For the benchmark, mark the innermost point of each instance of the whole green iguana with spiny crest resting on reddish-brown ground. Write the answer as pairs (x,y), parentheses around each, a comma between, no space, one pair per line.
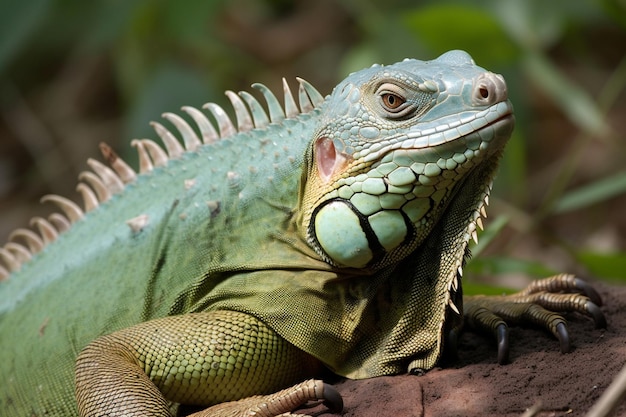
(326,235)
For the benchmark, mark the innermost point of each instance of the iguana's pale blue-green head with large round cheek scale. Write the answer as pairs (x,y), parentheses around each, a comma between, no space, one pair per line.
(394,146)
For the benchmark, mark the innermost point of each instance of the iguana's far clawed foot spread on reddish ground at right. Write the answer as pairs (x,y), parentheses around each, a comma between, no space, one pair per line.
(537,304)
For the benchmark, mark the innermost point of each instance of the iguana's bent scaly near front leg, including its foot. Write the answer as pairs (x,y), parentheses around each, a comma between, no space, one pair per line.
(196,359)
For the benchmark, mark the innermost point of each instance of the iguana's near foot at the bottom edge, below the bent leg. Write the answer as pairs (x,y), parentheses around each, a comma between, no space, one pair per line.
(281,403)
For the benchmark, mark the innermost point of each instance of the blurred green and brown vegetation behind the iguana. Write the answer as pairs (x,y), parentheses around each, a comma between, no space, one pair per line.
(75,73)
